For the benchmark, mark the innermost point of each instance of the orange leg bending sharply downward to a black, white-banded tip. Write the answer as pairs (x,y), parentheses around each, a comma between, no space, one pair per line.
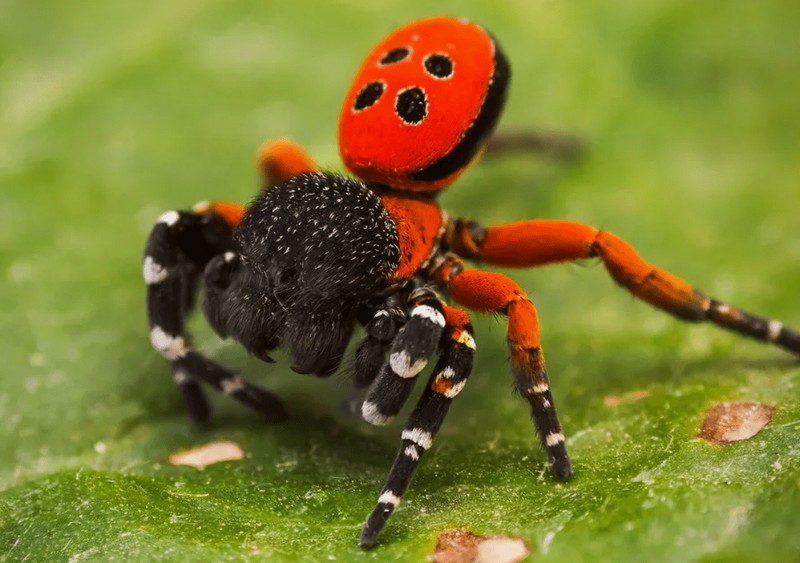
(489,292)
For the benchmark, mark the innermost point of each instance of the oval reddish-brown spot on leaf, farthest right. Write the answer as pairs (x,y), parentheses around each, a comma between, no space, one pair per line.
(731,422)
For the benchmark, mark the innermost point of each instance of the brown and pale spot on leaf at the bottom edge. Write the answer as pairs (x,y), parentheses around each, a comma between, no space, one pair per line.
(462,546)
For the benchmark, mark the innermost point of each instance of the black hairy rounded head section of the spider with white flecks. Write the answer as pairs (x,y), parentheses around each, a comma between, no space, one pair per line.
(309,252)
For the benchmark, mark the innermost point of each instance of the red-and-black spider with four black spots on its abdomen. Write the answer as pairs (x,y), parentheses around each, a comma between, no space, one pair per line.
(316,254)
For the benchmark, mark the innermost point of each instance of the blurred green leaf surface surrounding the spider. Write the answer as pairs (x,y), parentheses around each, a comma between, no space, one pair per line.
(112,112)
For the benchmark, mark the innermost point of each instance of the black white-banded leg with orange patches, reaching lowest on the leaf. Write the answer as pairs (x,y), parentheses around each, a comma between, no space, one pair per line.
(447,381)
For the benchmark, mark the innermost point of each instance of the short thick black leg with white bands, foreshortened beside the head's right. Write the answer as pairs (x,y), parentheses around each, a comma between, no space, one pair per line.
(409,354)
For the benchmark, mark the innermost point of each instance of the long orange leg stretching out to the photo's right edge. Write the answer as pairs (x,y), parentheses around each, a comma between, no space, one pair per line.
(540,242)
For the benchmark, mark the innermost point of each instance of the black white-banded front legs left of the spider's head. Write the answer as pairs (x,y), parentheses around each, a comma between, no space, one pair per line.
(179,247)
